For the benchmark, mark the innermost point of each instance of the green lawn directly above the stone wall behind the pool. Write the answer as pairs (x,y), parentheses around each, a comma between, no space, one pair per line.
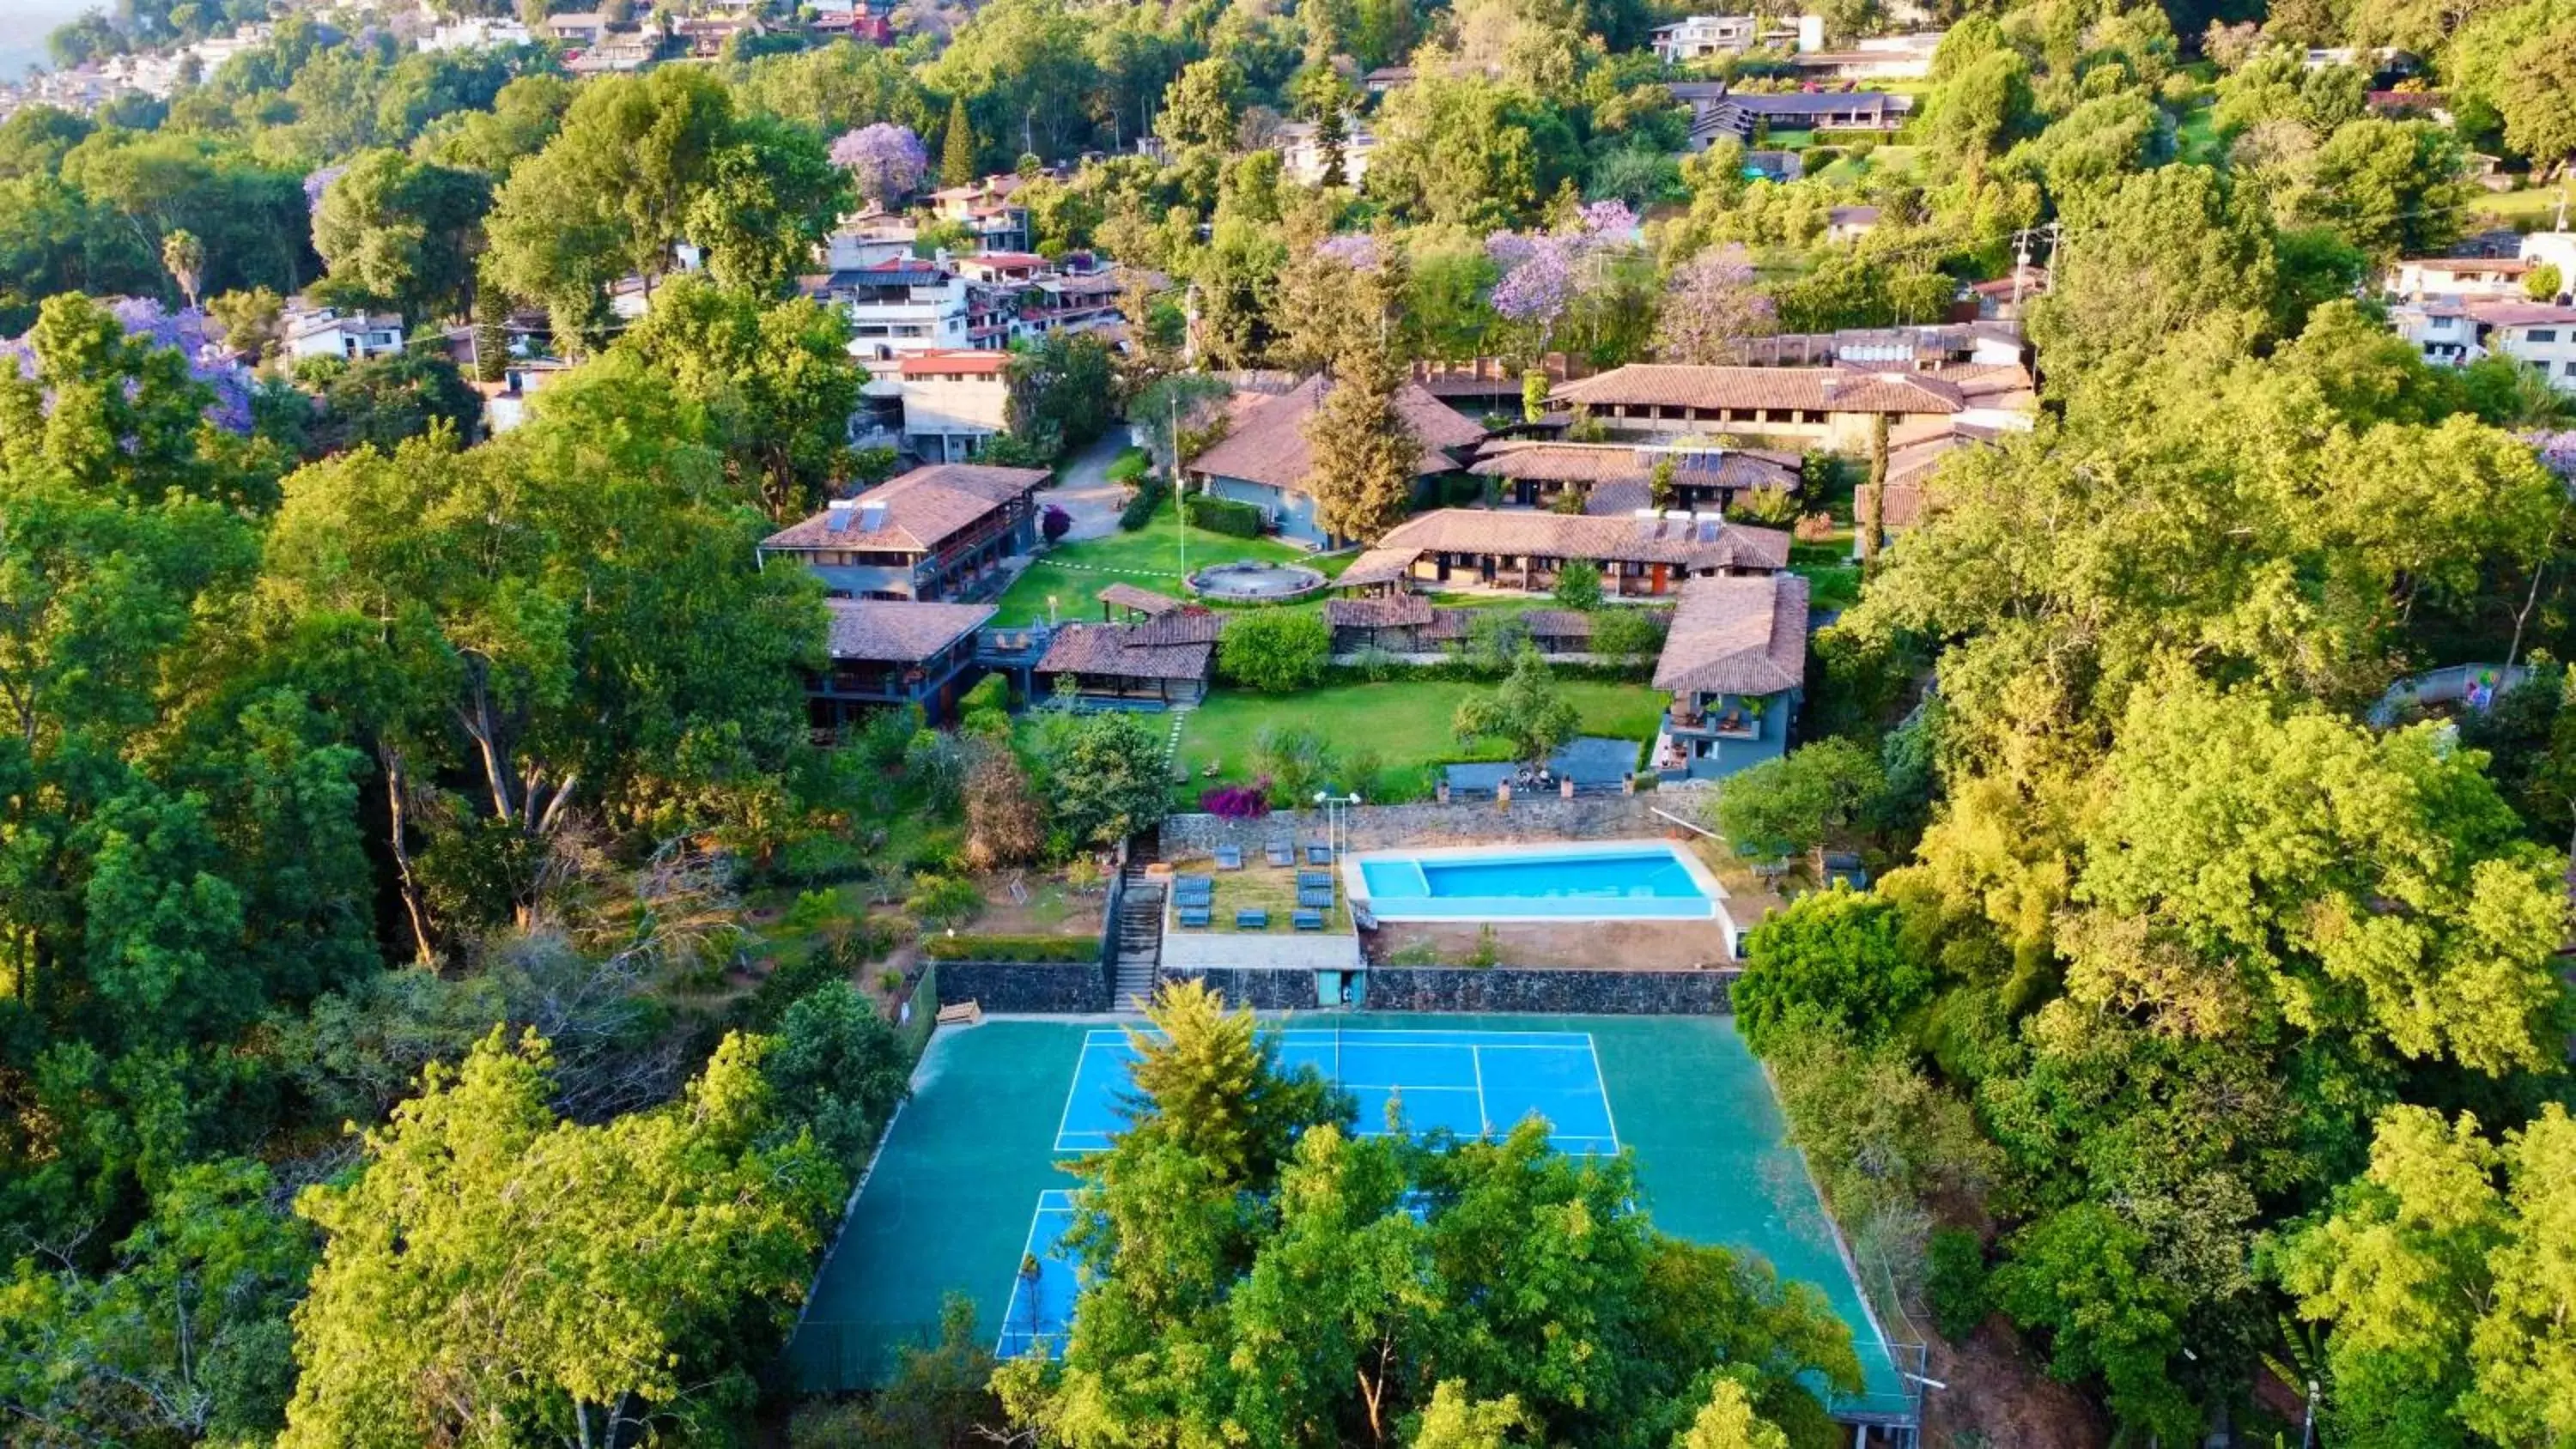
(1403,722)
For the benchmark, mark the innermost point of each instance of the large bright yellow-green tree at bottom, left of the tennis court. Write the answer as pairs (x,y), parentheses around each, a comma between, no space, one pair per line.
(498,1270)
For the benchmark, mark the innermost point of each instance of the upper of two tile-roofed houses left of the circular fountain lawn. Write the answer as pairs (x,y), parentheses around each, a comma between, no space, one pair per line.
(934,534)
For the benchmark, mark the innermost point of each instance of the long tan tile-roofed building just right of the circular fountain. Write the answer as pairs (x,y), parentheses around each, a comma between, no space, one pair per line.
(1647,555)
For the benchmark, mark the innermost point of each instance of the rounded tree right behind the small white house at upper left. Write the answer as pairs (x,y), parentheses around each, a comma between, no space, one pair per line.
(403,235)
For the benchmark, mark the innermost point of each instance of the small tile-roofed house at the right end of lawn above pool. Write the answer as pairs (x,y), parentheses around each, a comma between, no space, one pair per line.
(1735,665)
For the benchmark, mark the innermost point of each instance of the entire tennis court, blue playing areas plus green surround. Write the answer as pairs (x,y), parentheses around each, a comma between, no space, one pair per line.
(970,1193)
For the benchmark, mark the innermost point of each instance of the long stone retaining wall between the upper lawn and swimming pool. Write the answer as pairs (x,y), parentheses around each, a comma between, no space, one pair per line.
(1392,827)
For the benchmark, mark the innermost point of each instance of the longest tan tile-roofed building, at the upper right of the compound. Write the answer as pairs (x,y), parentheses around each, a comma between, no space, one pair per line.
(1833,408)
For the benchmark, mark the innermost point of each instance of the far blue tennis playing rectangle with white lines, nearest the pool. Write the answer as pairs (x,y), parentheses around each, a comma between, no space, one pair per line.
(1462,1082)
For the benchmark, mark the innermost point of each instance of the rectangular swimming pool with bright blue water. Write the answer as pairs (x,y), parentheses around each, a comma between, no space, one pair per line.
(1591,881)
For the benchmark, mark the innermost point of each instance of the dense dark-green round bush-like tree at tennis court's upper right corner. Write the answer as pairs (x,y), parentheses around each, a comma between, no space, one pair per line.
(1830,961)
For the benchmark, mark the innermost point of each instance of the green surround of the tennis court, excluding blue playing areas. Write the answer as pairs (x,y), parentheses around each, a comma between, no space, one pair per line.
(967,1162)
